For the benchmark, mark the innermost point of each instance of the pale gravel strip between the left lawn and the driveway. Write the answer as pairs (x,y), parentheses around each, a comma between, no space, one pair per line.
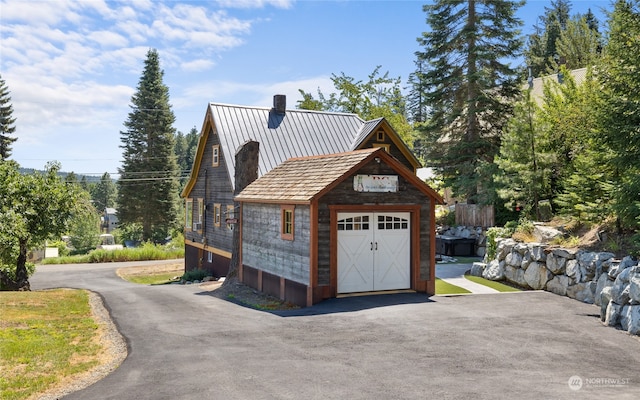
(115,352)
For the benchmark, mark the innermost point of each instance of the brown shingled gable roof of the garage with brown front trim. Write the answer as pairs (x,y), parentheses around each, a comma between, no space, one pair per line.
(301,180)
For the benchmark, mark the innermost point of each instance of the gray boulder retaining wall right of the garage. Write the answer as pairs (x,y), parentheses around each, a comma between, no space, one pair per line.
(591,277)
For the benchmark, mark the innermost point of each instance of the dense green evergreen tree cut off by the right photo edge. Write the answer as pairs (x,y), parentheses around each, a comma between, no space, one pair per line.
(620,108)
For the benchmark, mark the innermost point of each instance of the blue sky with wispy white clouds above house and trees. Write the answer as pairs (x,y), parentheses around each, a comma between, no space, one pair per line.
(71,66)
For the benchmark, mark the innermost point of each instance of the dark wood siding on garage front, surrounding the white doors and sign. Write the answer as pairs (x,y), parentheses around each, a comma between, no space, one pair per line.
(343,194)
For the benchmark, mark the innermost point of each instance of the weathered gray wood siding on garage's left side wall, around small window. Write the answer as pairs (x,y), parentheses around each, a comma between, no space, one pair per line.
(263,248)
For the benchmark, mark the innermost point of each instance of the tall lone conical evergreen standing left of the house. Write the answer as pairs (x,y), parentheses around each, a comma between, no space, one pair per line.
(148,184)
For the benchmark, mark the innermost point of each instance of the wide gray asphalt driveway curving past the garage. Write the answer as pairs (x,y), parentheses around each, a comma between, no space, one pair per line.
(186,344)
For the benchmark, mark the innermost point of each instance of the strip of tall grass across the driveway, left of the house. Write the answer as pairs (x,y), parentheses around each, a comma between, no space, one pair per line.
(145,252)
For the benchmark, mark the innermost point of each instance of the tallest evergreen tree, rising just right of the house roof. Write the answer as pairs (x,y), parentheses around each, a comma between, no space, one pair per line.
(469,87)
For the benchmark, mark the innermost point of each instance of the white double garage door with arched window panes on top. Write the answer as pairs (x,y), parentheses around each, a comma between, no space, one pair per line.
(373,252)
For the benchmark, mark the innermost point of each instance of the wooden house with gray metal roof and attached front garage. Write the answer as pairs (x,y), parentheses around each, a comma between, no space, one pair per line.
(324,145)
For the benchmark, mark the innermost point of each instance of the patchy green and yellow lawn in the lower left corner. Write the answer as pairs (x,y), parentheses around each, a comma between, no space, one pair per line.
(45,337)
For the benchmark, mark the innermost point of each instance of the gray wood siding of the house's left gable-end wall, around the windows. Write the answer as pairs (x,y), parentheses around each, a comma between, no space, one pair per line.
(216,189)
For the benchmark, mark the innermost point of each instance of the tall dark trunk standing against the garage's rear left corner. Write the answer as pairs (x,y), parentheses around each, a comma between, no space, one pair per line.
(246,172)
